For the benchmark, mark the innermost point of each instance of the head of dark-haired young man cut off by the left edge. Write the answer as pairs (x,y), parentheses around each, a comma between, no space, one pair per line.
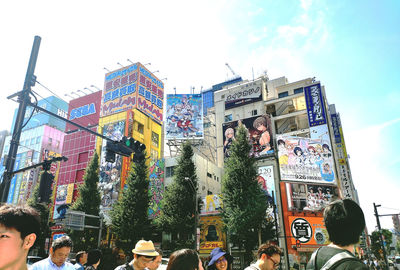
(19,228)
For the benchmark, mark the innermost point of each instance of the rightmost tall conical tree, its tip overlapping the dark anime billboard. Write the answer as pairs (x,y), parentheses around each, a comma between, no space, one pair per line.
(245,204)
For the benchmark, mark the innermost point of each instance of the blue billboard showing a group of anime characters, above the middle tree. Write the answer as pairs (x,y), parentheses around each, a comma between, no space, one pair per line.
(184,117)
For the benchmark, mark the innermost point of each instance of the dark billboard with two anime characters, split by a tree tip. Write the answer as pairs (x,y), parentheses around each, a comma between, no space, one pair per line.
(260,133)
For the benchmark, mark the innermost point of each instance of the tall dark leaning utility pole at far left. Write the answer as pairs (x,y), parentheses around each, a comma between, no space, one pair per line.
(23,98)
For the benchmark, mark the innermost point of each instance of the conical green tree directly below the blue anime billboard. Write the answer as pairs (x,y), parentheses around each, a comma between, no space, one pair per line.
(177,216)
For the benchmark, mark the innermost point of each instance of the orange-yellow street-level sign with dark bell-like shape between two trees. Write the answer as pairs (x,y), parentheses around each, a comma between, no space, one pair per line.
(211,233)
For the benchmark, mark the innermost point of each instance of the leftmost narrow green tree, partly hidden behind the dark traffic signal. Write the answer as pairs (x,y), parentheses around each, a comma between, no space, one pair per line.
(43,210)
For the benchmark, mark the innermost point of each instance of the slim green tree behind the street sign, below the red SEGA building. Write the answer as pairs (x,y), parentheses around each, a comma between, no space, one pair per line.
(88,201)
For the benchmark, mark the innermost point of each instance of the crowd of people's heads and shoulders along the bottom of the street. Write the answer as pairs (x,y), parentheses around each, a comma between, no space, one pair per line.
(20,226)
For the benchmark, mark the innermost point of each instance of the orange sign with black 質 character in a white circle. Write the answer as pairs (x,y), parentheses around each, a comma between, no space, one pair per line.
(308,230)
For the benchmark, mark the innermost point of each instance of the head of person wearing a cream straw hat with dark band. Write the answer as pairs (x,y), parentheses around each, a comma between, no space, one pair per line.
(143,253)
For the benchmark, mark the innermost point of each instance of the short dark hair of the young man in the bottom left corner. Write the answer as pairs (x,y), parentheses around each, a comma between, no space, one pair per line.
(24,219)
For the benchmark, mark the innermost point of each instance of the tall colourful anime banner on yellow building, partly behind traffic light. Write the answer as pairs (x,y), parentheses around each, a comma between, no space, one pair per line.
(110,173)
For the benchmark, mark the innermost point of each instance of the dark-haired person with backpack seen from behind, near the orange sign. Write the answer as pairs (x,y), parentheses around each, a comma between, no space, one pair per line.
(344,221)
